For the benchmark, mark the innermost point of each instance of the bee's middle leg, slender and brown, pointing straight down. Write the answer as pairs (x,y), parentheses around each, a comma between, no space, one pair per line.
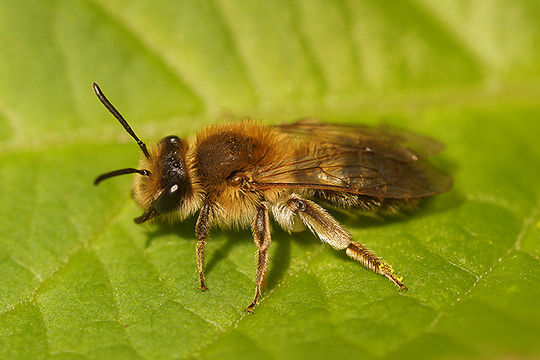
(261,235)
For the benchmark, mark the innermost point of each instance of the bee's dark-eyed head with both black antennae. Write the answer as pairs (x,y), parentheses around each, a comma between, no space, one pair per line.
(164,184)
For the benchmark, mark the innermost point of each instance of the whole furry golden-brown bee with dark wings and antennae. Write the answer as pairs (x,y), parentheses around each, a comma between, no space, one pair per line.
(242,174)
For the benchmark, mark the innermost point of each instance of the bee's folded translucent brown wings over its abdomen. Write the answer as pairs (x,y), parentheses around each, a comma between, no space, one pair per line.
(379,162)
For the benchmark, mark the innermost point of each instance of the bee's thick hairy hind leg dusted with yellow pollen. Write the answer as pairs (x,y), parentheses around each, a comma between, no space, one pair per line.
(322,224)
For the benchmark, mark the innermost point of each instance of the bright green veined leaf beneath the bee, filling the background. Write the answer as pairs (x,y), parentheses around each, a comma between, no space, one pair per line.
(79,280)
